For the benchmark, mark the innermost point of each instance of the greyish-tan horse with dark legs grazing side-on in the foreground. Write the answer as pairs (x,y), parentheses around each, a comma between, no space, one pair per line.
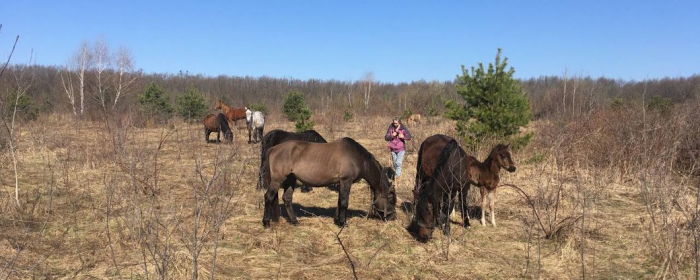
(343,161)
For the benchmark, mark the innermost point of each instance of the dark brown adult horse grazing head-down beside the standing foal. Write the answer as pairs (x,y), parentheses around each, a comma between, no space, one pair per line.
(441,174)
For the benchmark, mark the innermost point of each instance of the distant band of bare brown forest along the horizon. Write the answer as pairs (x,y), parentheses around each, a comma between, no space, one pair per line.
(550,96)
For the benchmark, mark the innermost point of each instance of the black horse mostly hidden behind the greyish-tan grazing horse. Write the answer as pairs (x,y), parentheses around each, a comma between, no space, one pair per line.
(278,136)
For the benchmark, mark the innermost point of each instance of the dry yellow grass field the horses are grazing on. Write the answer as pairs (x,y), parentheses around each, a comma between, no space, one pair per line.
(109,200)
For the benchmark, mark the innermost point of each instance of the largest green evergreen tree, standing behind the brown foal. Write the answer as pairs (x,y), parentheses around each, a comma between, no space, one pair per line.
(495,104)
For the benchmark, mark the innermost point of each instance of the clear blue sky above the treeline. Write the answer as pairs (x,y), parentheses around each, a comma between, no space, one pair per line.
(397,41)
